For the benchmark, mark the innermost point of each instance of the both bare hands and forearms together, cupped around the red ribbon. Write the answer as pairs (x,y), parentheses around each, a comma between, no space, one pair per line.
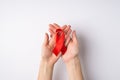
(70,57)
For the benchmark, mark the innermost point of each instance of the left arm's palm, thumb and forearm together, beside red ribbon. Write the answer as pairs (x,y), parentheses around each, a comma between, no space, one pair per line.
(48,59)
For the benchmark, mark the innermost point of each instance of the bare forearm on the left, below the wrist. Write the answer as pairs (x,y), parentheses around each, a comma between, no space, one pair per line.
(45,71)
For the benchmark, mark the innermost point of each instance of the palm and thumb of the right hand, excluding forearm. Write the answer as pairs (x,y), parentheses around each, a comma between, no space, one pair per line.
(72,49)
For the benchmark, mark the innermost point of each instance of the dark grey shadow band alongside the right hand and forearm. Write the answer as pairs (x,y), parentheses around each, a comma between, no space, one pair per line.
(83,56)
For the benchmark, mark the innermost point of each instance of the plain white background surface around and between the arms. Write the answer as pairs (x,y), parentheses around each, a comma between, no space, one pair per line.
(24,22)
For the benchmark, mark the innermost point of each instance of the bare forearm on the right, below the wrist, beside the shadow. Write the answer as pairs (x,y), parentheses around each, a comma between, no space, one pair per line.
(74,69)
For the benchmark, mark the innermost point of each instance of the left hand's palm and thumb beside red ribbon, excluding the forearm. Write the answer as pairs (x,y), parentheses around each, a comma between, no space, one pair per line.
(47,47)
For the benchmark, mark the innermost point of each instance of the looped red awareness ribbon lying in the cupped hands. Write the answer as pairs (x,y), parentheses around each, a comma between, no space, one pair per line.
(59,44)
